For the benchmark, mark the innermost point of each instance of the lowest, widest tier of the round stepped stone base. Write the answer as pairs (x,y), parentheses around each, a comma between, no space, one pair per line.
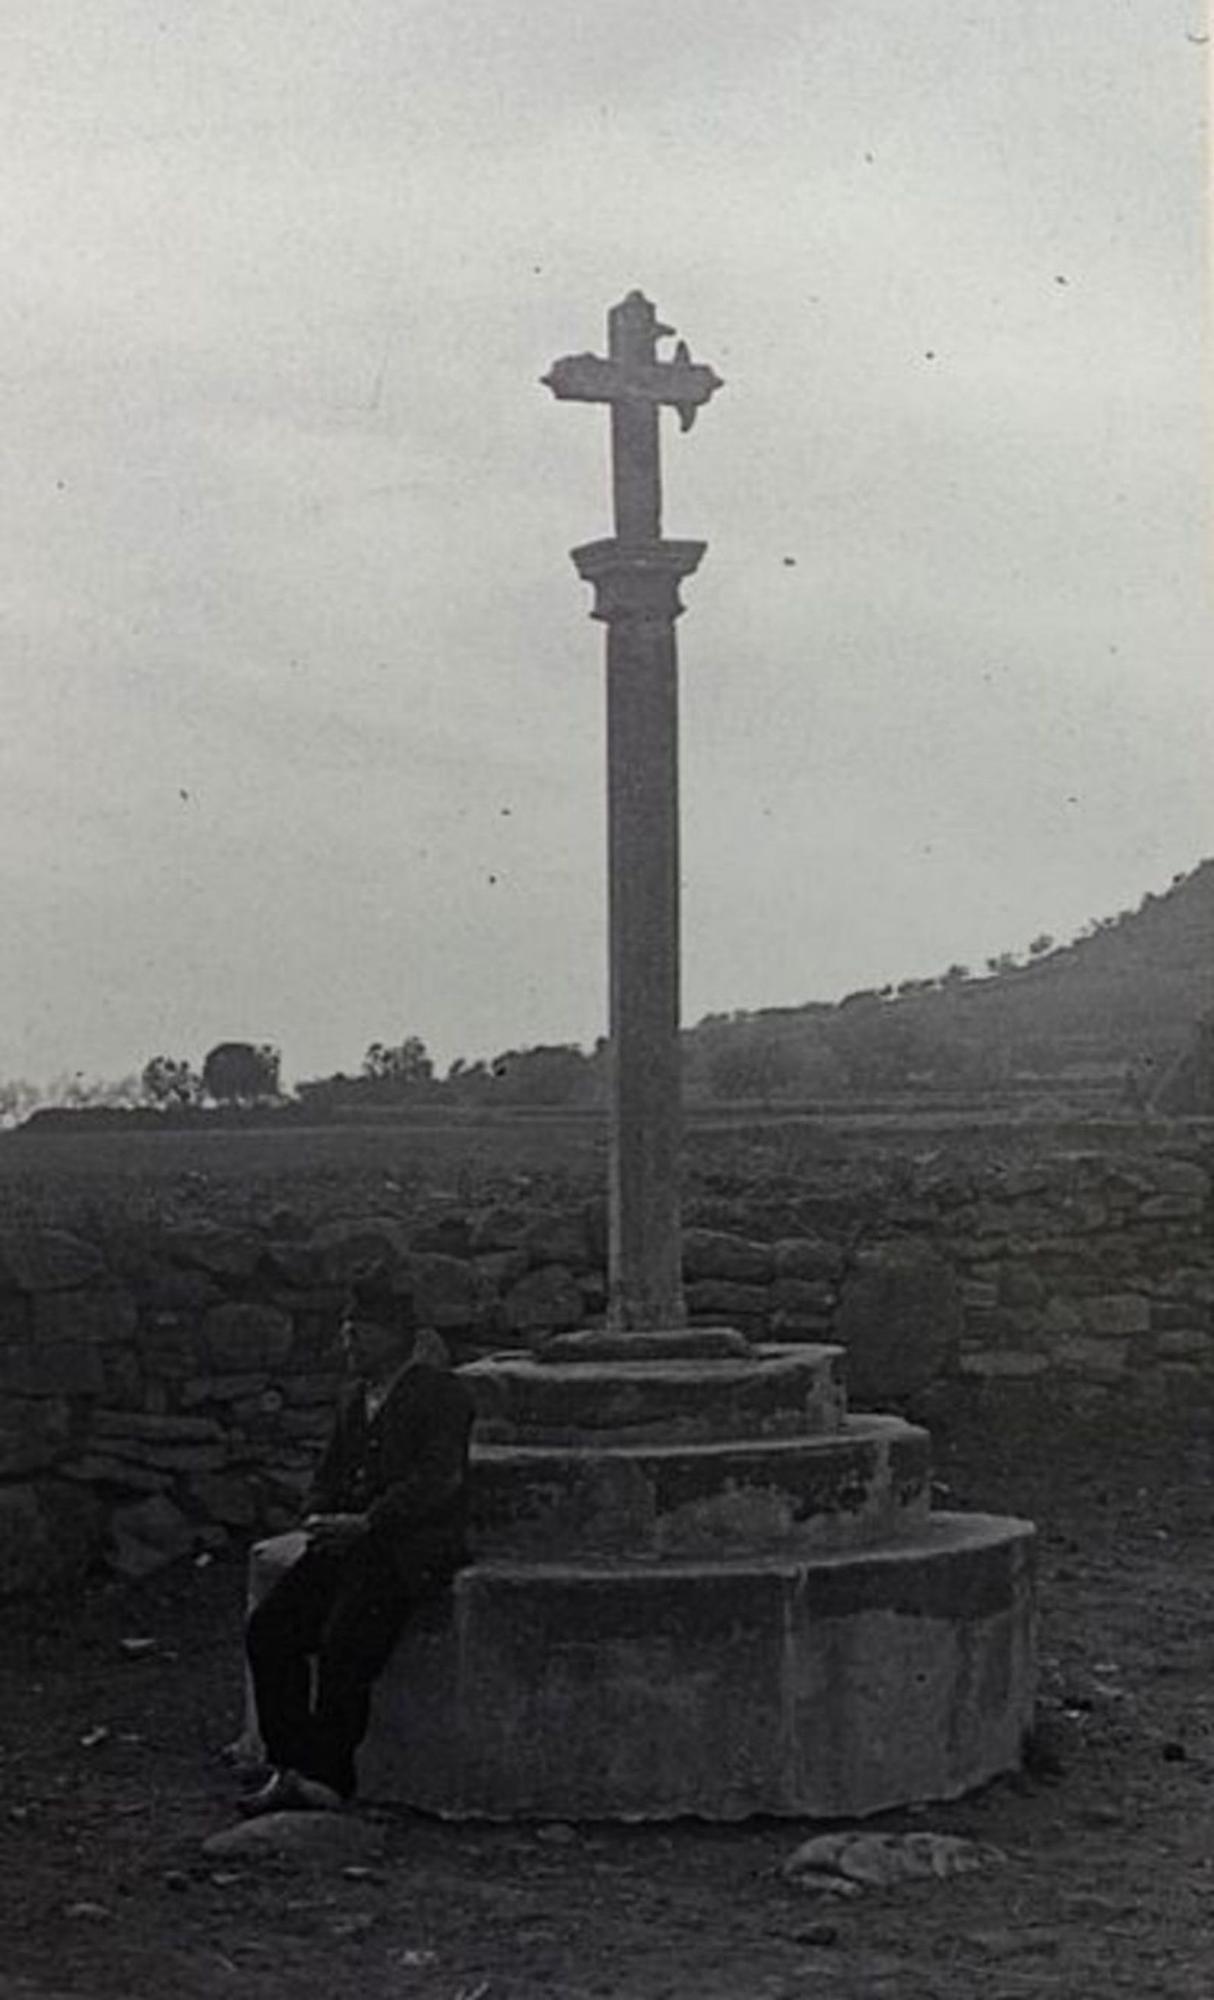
(829,1687)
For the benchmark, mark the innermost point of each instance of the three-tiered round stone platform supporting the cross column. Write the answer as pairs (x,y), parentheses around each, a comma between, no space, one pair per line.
(703,1587)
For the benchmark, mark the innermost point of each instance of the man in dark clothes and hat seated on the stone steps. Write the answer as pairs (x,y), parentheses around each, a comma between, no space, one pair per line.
(385,1523)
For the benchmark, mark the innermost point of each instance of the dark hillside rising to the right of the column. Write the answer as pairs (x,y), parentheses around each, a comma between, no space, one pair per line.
(1121,1001)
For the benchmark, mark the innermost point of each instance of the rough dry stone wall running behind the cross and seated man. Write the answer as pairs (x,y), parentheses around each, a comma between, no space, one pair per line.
(165,1389)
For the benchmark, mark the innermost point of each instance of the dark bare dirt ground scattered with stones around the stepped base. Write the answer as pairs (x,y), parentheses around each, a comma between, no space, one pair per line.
(113,1783)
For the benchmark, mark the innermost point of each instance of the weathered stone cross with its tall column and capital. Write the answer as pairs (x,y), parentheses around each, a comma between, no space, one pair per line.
(635,581)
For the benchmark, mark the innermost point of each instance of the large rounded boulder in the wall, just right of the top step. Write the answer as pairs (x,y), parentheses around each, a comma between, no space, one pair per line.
(899,1319)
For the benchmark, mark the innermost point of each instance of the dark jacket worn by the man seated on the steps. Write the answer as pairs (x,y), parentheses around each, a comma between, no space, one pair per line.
(405,1467)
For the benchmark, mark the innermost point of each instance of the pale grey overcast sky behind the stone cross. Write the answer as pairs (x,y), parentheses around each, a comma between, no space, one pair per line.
(301,709)
